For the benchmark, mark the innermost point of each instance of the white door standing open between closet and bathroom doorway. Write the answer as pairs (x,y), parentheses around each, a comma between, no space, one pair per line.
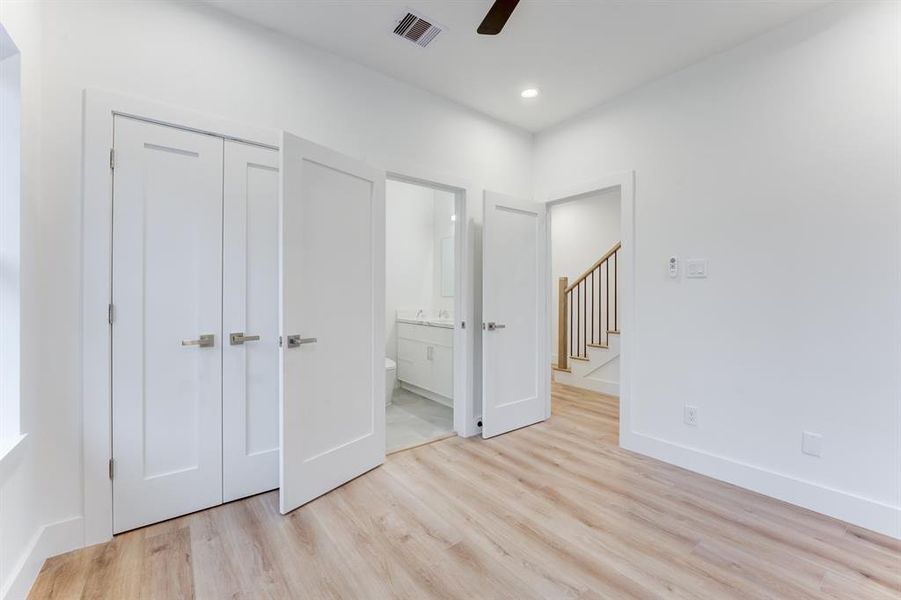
(332,306)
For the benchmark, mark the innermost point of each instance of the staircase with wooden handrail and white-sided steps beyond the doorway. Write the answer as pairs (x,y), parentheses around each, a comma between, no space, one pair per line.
(588,327)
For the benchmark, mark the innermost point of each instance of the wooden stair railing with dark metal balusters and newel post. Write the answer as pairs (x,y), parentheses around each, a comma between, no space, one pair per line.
(588,309)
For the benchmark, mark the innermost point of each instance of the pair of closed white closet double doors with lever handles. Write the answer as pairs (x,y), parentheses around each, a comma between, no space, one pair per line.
(194,313)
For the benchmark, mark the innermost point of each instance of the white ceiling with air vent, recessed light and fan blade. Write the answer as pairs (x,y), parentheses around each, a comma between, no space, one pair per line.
(578,52)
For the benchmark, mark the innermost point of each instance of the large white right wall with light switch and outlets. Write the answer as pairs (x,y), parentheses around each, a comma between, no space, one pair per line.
(778,161)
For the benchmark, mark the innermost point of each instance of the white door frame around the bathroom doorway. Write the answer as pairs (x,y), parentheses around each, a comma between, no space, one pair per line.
(465,316)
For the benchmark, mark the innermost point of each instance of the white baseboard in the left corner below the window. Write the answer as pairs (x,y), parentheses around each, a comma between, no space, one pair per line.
(50,540)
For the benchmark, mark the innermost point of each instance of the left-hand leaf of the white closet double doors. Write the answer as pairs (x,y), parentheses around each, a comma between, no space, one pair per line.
(167,343)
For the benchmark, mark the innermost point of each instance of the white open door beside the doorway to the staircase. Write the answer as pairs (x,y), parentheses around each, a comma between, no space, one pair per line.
(515,379)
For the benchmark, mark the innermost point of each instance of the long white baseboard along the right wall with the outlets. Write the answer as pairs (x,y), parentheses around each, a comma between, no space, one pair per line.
(864,512)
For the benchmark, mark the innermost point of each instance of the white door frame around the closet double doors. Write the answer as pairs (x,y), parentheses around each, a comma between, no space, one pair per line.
(97,216)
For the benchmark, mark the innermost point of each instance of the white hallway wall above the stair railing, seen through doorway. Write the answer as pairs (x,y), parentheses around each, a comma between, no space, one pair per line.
(582,231)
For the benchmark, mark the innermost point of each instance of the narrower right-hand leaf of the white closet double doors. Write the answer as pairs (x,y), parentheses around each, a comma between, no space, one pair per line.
(250,318)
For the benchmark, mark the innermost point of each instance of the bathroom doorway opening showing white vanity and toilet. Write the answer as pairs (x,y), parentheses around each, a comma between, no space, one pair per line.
(420,321)
